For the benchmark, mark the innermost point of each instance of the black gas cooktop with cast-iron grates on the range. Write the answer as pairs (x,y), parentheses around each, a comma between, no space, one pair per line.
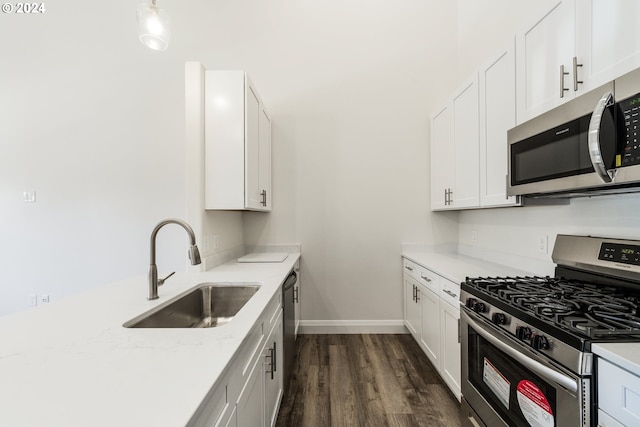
(586,309)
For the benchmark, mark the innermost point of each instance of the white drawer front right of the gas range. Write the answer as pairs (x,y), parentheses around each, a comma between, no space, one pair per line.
(619,393)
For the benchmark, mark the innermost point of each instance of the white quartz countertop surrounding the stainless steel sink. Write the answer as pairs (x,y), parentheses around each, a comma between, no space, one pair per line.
(72,363)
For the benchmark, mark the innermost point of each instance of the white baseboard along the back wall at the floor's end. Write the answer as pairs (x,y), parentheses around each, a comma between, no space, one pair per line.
(353,327)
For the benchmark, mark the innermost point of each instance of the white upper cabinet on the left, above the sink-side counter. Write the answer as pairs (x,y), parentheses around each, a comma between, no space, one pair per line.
(237,144)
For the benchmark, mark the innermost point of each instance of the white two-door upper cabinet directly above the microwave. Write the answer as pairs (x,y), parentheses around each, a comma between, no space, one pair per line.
(576,46)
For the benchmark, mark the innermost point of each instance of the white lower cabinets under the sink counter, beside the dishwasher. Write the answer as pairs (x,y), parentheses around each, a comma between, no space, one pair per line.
(250,392)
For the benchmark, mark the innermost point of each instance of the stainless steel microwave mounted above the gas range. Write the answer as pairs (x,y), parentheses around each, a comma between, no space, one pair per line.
(586,146)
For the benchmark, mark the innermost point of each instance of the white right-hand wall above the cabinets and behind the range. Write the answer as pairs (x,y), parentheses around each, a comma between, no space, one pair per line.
(512,234)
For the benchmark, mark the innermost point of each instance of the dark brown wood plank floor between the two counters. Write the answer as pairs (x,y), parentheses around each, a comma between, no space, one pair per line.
(365,380)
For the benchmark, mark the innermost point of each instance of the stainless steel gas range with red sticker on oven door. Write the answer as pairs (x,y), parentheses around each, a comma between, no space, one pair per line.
(526,341)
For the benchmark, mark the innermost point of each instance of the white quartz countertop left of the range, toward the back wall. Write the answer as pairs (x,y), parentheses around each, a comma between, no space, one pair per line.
(456,267)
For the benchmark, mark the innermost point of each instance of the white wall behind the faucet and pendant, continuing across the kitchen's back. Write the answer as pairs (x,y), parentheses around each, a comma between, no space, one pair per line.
(95,123)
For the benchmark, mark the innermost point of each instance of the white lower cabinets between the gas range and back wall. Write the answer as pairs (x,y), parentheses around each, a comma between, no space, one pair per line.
(432,315)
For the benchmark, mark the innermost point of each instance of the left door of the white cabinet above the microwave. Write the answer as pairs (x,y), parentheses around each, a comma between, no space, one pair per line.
(541,50)
